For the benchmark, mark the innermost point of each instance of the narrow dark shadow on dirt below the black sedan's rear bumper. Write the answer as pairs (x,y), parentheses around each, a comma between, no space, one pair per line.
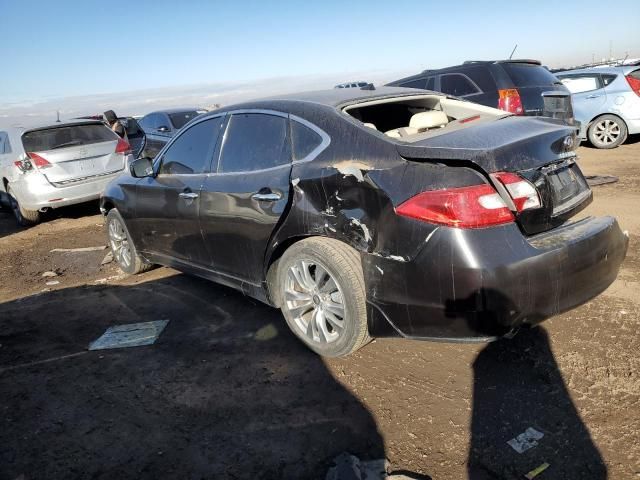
(517,385)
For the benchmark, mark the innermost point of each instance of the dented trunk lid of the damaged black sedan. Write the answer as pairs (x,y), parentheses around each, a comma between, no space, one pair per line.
(541,151)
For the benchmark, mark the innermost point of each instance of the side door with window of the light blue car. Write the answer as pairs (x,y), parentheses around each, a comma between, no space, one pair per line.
(588,95)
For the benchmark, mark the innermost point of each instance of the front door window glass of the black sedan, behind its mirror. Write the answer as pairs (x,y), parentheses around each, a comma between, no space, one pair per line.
(191,152)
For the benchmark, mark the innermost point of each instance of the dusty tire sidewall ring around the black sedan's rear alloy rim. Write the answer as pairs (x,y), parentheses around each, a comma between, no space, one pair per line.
(349,337)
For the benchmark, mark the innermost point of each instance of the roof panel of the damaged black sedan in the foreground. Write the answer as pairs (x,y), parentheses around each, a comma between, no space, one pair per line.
(336,97)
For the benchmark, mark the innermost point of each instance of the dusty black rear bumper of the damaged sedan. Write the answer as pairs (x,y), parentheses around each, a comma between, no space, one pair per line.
(468,285)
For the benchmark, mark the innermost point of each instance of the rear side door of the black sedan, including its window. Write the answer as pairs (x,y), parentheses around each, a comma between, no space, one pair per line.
(242,202)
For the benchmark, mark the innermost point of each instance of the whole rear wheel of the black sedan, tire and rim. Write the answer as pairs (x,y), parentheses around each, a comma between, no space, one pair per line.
(322,296)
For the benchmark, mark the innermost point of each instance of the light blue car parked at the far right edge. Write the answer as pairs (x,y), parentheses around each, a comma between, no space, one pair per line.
(606,101)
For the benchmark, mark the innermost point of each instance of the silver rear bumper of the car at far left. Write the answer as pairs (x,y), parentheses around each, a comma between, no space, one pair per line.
(34,192)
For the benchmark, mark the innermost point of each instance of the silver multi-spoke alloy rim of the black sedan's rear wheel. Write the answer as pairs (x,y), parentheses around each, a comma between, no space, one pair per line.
(315,302)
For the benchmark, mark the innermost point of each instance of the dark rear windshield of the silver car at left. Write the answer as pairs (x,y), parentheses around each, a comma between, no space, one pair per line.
(67,136)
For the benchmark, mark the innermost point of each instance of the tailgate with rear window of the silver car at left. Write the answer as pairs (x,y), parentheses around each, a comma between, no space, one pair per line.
(75,152)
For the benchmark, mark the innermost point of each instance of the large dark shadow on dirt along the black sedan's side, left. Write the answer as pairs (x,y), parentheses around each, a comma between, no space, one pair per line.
(226,392)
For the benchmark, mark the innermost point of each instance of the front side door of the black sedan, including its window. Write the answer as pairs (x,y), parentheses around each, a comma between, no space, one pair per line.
(167,204)
